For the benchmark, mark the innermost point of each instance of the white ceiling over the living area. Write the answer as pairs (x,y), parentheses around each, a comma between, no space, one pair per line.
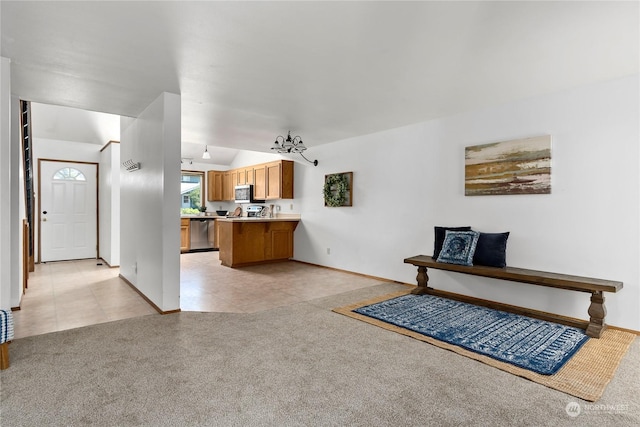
(249,71)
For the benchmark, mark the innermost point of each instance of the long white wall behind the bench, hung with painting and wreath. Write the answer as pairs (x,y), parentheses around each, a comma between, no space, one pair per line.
(410,179)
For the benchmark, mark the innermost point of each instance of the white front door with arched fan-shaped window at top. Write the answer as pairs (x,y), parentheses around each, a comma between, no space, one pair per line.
(68,210)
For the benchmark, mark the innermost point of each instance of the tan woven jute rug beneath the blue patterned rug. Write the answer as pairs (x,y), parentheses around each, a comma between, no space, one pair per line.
(585,375)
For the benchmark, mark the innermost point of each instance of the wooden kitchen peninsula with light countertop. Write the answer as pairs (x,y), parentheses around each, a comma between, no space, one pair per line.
(256,240)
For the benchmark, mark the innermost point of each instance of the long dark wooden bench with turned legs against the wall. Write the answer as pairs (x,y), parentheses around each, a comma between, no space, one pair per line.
(596,287)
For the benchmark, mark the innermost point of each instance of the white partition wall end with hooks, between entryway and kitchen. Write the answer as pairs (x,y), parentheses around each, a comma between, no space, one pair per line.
(150,208)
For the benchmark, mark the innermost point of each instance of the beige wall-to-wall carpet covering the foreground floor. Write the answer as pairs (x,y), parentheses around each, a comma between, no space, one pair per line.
(299,365)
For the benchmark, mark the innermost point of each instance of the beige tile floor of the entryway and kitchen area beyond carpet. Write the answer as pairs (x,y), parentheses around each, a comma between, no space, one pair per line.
(70,294)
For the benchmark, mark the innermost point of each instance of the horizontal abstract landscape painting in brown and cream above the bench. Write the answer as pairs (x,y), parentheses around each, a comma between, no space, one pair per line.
(520,166)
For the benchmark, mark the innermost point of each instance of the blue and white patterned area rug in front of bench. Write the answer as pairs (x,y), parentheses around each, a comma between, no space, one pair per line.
(536,345)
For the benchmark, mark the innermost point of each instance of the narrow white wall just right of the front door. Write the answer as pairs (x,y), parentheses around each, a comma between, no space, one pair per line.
(109,204)
